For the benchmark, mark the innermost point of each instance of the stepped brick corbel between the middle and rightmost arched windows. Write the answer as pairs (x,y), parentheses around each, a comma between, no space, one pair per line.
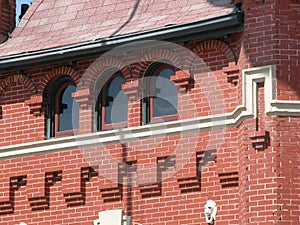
(133,89)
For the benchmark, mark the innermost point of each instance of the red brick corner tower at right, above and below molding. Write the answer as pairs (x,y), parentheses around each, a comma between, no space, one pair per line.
(270,37)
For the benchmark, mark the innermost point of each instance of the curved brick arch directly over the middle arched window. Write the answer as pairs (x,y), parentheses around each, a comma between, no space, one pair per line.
(96,72)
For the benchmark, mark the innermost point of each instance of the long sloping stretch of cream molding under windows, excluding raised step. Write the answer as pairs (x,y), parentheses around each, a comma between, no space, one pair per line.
(123,135)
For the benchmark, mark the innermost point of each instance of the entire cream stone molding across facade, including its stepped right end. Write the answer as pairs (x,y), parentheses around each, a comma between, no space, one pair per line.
(248,109)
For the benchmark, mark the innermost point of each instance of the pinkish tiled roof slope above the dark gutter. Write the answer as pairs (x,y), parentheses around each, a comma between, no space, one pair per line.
(55,23)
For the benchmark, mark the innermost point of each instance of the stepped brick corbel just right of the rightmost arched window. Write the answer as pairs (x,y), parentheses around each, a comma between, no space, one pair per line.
(182,80)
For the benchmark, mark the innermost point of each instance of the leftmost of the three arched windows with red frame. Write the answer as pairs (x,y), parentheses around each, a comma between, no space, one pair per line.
(63,113)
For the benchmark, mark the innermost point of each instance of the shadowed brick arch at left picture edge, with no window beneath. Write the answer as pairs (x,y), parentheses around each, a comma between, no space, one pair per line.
(19,79)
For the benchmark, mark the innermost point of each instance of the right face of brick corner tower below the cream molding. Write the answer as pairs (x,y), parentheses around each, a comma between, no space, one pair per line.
(288,159)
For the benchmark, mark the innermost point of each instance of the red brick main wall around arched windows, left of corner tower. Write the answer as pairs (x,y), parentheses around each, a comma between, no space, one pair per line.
(152,190)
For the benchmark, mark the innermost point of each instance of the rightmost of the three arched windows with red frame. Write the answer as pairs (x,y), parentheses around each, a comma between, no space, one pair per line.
(160,95)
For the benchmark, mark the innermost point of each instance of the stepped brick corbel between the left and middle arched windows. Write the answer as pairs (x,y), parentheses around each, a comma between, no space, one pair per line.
(85,98)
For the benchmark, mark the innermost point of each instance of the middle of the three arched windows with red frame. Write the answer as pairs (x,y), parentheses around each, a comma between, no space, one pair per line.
(112,104)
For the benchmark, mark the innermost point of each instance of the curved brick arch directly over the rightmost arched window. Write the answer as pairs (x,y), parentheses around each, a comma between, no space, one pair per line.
(157,55)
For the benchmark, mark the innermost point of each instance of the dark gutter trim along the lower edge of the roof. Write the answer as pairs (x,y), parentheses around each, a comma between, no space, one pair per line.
(221,25)
